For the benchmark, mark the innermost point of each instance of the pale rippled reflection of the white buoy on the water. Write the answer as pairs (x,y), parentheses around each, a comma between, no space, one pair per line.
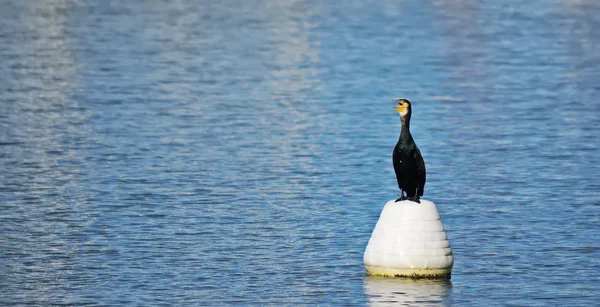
(406,292)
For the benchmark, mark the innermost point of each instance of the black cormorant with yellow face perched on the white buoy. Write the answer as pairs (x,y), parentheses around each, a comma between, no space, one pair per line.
(408,162)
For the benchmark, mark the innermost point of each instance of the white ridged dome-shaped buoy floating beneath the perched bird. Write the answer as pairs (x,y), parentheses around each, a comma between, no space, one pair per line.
(409,240)
